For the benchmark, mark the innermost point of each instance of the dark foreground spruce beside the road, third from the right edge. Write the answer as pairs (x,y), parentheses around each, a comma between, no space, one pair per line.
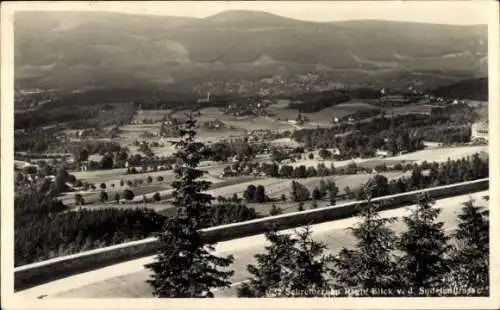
(371,265)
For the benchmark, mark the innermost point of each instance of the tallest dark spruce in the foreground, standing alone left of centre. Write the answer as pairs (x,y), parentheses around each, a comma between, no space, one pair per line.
(185,266)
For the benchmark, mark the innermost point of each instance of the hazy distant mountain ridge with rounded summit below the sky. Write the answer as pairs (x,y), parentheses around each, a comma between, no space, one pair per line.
(96,49)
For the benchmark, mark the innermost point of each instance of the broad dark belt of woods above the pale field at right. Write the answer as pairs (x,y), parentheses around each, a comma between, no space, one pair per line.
(395,134)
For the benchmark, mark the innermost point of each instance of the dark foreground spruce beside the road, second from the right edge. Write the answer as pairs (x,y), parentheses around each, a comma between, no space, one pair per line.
(424,244)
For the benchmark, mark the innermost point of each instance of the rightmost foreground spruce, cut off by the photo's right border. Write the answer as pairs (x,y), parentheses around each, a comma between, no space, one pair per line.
(470,255)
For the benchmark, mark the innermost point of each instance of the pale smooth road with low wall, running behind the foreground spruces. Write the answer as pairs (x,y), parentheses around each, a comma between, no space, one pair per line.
(128,279)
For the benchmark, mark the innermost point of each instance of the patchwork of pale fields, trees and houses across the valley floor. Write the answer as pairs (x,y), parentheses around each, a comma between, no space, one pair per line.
(248,136)
